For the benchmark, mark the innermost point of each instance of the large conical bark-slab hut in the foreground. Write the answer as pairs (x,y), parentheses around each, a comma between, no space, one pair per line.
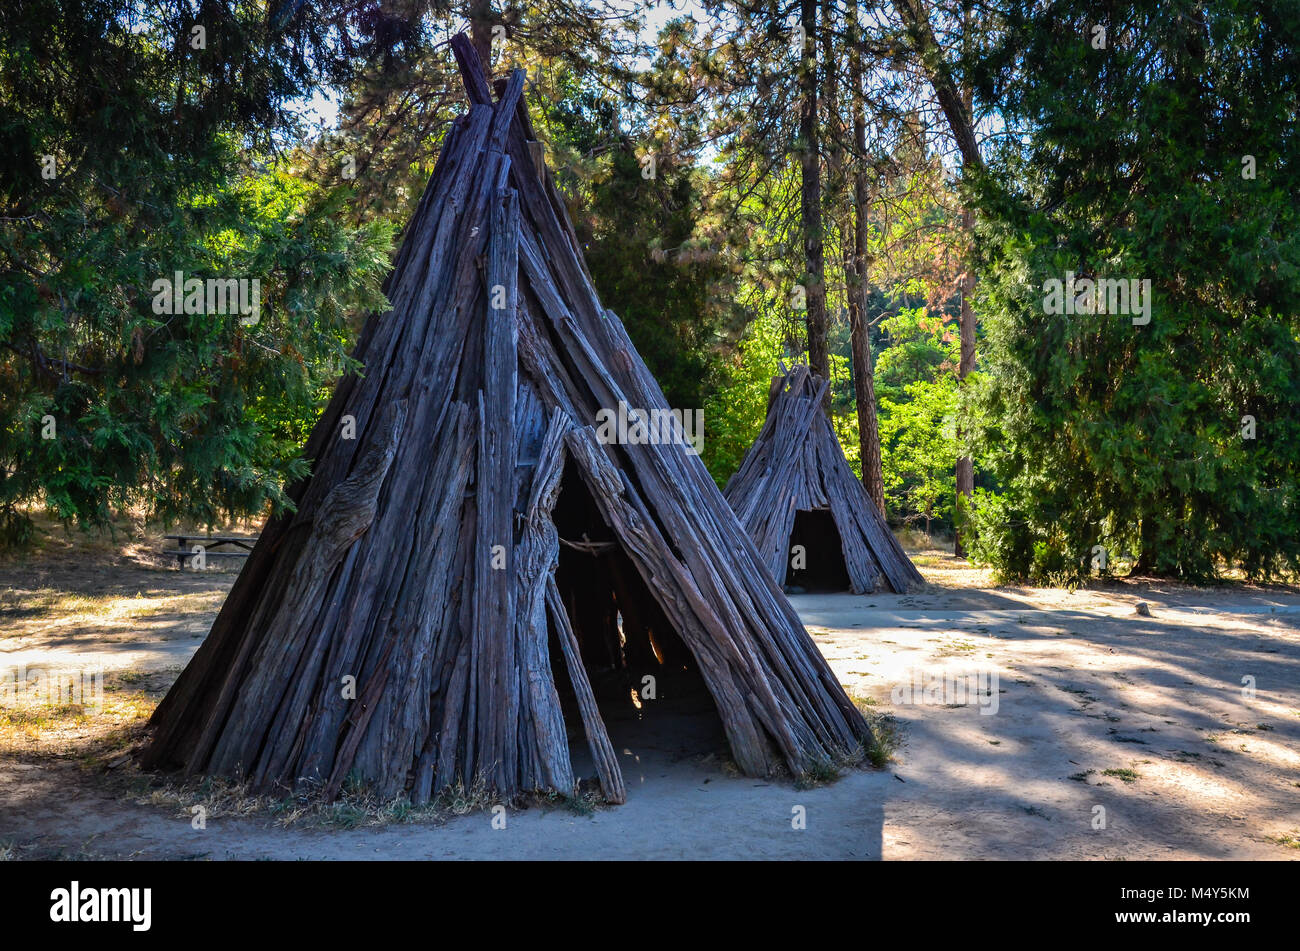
(474,553)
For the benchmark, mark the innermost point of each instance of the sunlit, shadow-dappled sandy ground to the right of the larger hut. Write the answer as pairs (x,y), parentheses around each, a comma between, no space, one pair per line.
(1085,685)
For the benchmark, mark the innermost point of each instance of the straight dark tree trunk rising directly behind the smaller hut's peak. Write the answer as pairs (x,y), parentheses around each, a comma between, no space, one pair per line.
(814,279)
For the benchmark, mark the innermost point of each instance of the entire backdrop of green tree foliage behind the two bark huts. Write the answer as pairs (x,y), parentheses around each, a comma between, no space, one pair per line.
(1124,162)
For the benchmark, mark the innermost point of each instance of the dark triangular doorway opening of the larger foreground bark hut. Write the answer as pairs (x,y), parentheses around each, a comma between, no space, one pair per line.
(625,639)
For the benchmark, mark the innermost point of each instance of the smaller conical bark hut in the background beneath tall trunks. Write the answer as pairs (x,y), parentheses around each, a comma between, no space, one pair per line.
(809,516)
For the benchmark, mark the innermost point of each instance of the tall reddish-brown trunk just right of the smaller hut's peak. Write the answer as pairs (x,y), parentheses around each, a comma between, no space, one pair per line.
(859,280)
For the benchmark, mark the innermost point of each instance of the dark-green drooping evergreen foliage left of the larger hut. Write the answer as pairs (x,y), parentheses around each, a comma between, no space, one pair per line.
(161,171)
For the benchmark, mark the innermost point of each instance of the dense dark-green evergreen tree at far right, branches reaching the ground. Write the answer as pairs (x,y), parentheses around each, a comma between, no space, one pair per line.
(1130,437)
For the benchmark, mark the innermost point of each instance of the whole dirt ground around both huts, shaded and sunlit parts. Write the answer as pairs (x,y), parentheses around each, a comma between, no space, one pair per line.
(1090,732)
